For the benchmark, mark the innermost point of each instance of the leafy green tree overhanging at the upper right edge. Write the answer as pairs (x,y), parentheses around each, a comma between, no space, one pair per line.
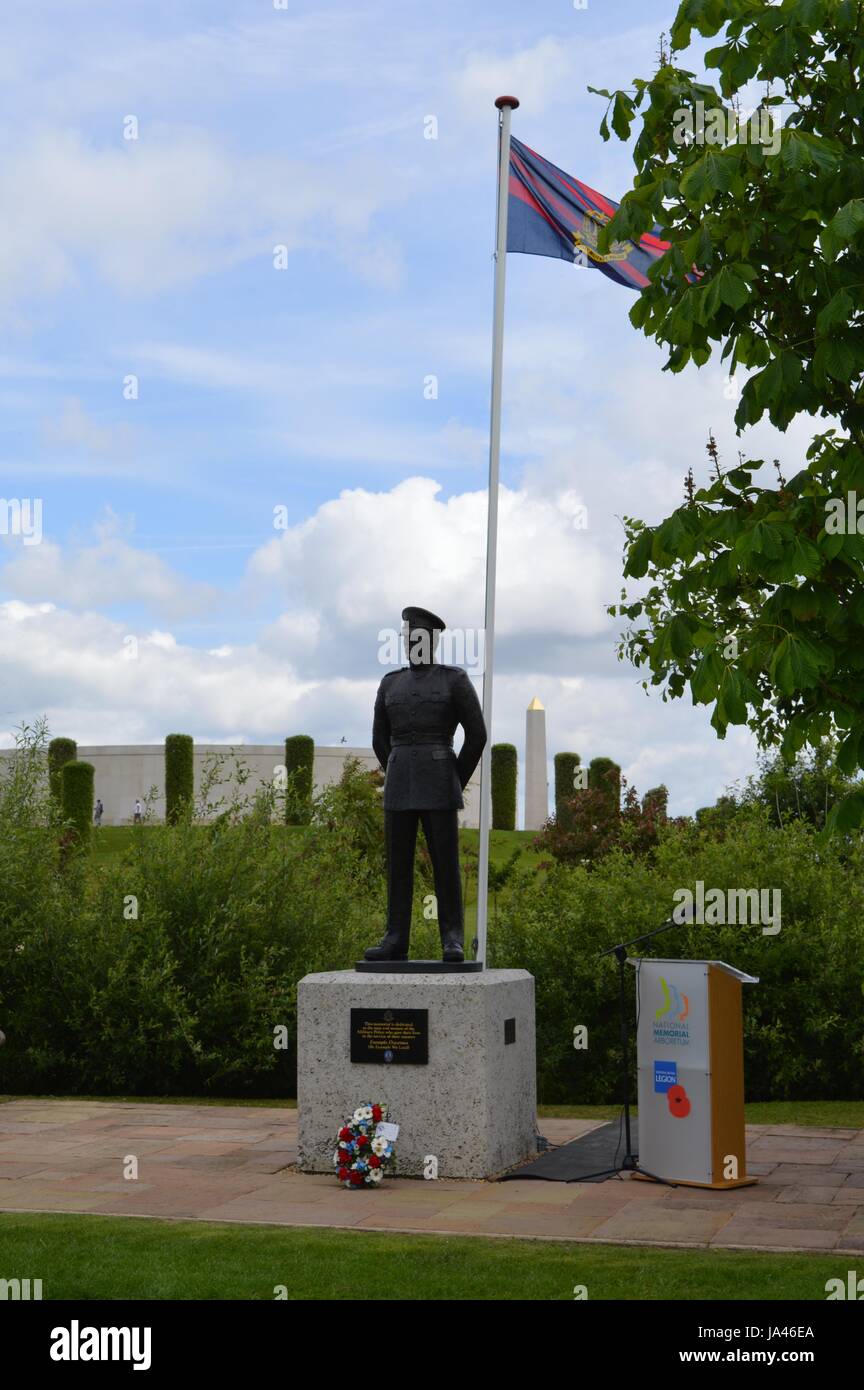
(755,594)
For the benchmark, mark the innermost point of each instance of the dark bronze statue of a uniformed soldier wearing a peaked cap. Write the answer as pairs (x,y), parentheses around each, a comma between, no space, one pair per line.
(417,711)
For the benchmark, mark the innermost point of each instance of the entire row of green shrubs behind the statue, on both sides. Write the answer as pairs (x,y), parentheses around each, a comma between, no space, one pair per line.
(173,970)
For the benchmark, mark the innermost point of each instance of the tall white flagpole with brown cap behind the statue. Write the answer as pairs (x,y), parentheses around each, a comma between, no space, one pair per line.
(506,105)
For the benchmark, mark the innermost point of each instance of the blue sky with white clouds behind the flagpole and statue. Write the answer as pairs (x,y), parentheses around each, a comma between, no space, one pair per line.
(304,389)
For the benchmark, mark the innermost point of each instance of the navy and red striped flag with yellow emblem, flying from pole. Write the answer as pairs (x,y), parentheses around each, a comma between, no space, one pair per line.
(556,215)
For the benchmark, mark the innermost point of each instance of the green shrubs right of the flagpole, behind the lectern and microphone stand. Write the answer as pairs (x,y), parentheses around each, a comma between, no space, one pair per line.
(802,1022)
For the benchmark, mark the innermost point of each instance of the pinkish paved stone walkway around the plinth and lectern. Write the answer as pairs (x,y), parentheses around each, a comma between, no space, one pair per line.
(235,1164)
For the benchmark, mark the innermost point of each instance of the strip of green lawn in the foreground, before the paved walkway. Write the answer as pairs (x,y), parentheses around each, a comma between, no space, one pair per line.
(108,1257)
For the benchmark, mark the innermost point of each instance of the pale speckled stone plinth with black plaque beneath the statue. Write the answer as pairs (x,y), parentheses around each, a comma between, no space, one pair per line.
(473,1106)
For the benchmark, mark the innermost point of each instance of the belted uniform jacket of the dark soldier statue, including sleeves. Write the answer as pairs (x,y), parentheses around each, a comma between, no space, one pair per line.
(417,711)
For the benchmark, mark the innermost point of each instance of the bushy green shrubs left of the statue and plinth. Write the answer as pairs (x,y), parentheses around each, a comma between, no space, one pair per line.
(172,970)
